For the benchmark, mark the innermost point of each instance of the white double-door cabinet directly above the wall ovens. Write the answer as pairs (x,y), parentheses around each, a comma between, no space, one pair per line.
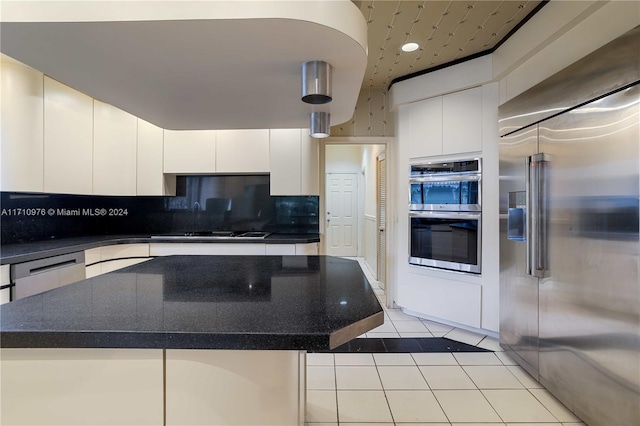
(449,124)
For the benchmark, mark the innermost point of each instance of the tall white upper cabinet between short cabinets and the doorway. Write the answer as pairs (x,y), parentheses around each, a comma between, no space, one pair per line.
(294,162)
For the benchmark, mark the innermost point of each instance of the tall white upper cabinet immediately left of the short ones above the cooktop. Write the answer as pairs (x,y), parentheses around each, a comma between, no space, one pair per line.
(150,177)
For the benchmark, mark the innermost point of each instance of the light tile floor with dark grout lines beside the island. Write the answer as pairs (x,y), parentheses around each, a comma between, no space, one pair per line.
(427,389)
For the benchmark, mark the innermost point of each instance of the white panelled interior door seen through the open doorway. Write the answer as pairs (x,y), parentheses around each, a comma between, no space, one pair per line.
(342,214)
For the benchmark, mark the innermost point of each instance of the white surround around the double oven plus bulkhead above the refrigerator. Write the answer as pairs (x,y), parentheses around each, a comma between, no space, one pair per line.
(561,33)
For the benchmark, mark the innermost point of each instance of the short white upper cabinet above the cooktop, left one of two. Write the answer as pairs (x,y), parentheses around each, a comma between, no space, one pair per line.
(189,151)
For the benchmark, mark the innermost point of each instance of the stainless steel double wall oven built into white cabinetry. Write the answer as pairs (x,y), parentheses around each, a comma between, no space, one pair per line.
(445,213)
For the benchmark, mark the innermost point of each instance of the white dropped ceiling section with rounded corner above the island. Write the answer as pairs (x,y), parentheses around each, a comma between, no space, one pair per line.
(200,69)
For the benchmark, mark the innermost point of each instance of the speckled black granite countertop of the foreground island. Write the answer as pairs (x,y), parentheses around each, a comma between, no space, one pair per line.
(202,302)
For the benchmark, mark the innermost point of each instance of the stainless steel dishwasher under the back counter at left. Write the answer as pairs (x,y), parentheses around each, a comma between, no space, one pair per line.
(45,274)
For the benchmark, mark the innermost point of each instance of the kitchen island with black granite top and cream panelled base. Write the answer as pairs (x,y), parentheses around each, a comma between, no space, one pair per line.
(180,340)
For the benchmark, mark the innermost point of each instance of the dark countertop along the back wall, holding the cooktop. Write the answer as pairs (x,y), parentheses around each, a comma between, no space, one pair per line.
(16,253)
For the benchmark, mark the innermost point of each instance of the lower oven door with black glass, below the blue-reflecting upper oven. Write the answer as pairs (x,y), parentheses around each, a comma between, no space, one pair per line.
(448,240)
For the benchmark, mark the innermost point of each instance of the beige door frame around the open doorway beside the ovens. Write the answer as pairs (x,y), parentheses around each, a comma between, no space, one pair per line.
(388,142)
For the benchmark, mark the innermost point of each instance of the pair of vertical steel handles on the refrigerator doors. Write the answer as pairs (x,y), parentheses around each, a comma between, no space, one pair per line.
(536,216)
